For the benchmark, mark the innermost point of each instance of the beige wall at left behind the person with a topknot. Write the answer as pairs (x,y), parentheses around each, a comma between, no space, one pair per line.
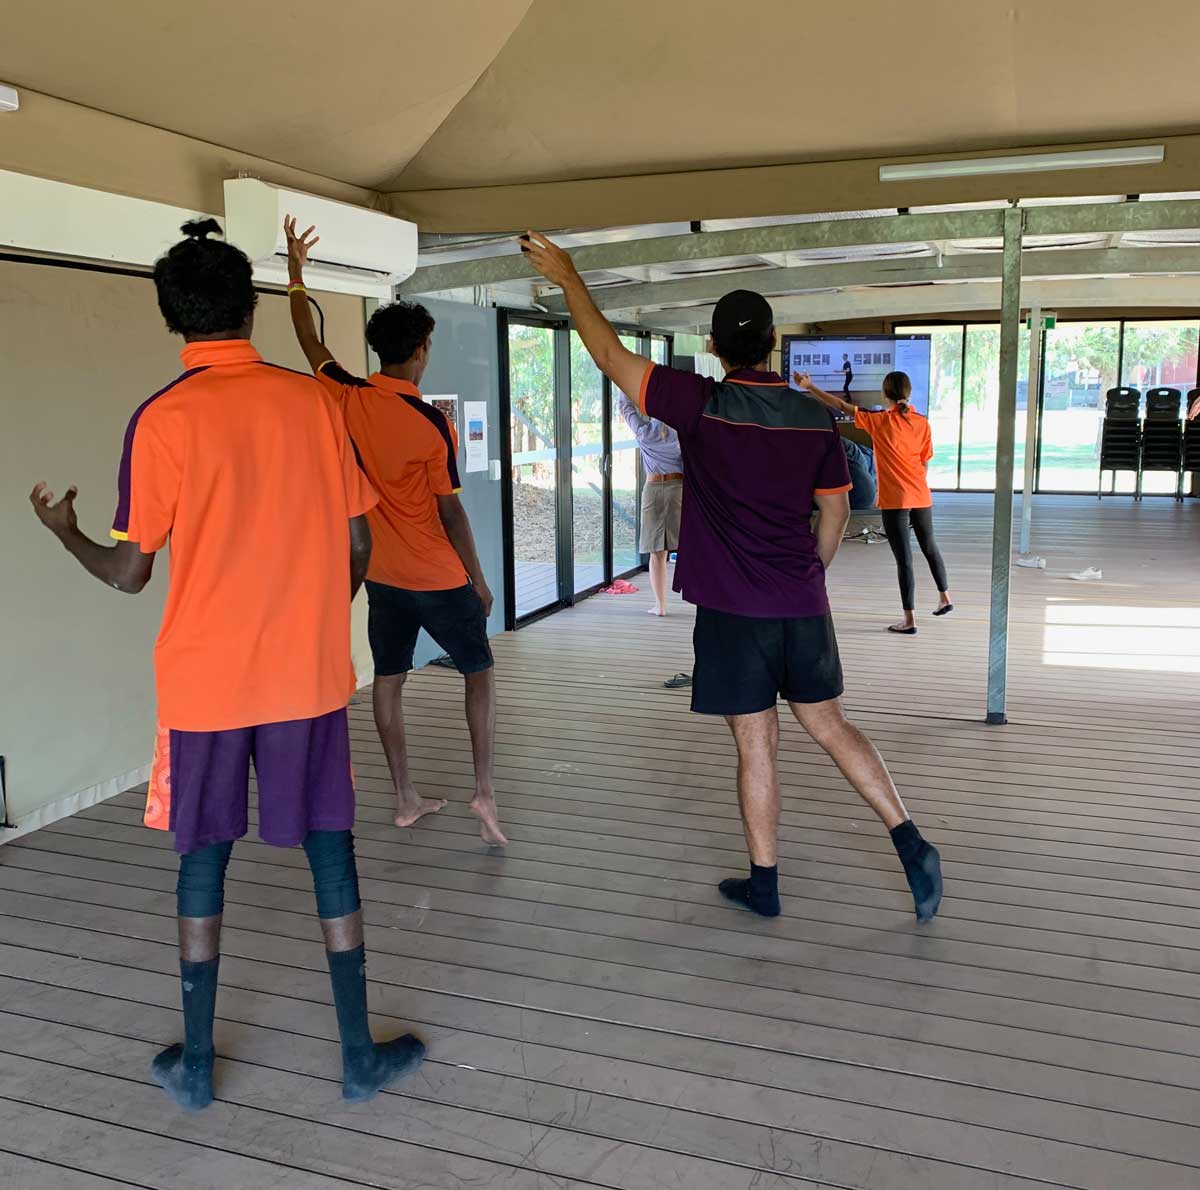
(79,352)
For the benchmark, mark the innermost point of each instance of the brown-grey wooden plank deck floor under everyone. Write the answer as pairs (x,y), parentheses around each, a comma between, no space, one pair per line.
(598,1018)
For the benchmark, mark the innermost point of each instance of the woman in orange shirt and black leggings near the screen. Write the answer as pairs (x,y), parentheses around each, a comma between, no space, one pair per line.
(903,450)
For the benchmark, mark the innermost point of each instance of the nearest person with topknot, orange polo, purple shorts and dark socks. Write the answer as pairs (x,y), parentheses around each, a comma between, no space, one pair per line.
(247,470)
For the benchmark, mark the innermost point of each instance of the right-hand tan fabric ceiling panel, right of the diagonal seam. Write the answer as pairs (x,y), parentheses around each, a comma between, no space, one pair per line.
(649,88)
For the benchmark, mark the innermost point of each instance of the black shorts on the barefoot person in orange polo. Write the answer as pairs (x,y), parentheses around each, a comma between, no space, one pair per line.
(454,618)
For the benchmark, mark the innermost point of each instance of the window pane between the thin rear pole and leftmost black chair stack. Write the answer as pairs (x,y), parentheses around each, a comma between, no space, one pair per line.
(1081,368)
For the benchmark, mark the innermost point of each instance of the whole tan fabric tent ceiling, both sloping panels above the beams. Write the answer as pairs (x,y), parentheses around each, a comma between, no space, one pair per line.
(406,97)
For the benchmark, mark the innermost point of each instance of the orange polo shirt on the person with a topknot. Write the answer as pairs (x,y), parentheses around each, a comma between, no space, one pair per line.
(248,471)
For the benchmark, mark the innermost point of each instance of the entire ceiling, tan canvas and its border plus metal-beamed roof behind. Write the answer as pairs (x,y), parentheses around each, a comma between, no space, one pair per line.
(485,117)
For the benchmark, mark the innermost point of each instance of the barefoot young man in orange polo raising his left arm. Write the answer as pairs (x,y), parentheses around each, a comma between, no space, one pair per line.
(425,573)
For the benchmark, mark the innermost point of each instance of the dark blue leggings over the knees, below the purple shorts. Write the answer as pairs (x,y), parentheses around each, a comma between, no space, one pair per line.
(201,888)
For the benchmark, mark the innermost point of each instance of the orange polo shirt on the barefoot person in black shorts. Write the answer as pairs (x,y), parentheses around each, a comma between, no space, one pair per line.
(410,453)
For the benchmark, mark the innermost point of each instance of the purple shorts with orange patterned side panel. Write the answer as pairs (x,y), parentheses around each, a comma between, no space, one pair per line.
(200,784)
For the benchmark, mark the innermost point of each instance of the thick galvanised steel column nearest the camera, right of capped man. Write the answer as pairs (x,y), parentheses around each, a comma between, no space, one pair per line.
(1006,441)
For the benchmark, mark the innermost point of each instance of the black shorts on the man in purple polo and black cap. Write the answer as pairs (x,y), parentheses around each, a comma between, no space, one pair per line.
(745,664)
